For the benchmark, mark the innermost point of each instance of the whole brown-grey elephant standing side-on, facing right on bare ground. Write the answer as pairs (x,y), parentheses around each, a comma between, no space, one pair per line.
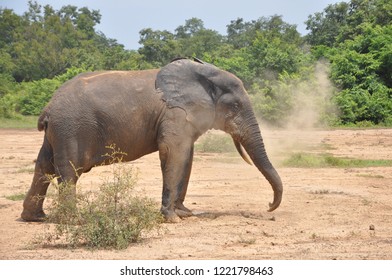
(141,112)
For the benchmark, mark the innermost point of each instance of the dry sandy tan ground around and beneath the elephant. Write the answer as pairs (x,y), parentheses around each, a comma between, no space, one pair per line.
(325,214)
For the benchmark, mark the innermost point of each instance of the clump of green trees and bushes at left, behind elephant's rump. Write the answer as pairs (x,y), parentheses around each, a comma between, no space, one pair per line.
(43,48)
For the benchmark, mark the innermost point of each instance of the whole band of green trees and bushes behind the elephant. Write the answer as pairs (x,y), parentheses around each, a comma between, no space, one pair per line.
(42,48)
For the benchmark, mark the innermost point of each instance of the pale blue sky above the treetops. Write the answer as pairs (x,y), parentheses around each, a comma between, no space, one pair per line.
(122,20)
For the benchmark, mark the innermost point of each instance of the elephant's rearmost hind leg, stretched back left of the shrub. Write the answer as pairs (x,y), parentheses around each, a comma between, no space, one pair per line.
(44,168)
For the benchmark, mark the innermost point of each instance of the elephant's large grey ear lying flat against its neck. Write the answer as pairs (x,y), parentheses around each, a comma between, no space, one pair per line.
(185,84)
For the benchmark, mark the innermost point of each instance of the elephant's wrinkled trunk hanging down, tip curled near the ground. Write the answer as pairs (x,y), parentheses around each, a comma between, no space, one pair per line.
(252,141)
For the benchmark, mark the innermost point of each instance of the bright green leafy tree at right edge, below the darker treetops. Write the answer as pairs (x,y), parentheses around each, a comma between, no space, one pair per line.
(362,69)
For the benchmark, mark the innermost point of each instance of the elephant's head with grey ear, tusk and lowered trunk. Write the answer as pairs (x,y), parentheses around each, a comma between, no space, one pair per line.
(213,98)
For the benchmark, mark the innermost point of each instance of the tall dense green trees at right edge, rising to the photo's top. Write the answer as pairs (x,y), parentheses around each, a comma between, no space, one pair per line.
(356,38)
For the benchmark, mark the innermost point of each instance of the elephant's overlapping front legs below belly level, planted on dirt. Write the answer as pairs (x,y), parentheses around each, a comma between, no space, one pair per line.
(176,164)
